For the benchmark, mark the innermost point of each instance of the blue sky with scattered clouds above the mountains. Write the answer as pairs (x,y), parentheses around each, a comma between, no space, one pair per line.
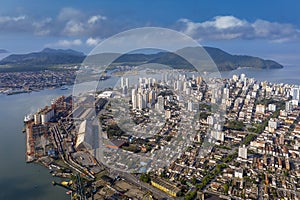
(263,28)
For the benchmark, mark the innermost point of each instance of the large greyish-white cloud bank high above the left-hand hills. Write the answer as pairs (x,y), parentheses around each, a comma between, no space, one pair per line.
(68,22)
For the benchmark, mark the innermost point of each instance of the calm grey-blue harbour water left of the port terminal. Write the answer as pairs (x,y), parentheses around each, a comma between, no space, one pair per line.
(19,180)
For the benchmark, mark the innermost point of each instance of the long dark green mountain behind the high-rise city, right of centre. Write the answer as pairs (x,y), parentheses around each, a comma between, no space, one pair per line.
(223,60)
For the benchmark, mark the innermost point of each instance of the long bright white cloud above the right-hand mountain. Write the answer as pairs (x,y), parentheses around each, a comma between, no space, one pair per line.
(230,27)
